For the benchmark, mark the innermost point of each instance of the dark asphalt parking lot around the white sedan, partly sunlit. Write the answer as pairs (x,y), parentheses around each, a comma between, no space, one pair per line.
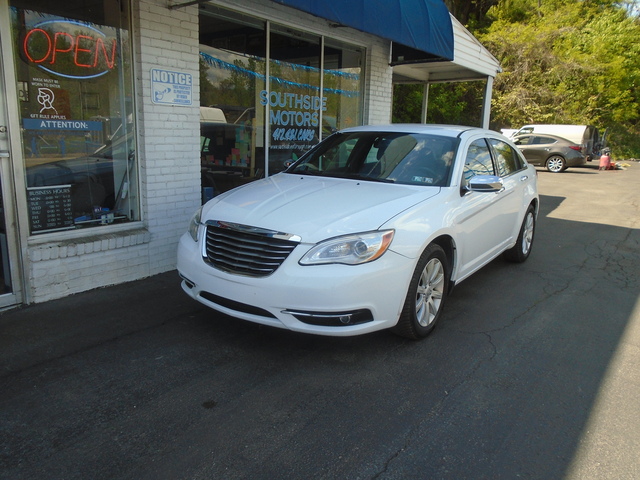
(533,373)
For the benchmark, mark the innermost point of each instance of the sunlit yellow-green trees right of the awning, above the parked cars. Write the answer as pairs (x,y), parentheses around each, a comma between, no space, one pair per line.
(567,62)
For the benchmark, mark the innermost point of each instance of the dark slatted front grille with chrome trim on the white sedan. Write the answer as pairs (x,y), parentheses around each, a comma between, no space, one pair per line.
(246,250)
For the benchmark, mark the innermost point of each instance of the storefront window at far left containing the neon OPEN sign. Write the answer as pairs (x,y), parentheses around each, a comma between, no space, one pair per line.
(76,106)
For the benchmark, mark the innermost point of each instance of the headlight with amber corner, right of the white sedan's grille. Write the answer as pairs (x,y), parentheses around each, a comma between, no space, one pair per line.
(349,249)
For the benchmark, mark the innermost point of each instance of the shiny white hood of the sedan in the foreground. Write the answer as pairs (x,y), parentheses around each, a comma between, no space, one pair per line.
(315,208)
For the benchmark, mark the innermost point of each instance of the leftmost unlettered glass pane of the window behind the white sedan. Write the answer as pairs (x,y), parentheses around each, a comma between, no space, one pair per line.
(232,75)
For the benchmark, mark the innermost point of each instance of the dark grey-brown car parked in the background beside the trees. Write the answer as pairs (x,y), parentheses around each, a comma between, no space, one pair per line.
(554,153)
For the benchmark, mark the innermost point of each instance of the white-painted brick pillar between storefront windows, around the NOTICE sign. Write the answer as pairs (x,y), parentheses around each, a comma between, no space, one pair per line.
(170,139)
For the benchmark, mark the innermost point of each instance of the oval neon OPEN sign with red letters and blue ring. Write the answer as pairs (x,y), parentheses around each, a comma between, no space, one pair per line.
(60,48)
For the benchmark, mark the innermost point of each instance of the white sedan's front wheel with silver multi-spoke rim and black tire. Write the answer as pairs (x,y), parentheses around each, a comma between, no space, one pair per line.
(426,295)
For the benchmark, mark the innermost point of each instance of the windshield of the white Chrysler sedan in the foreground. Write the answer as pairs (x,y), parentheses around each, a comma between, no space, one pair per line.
(392,157)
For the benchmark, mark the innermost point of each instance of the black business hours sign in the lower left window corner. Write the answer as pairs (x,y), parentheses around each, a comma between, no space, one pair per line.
(50,208)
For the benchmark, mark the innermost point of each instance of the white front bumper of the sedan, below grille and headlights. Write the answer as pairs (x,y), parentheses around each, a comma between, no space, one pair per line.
(337,300)
